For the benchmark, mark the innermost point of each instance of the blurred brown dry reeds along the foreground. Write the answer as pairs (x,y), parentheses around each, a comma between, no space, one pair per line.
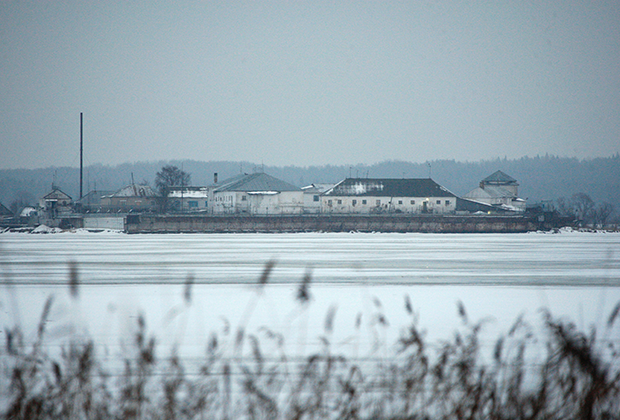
(577,378)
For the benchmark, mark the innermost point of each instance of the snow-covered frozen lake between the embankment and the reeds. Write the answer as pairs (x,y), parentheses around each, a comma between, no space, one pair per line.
(359,277)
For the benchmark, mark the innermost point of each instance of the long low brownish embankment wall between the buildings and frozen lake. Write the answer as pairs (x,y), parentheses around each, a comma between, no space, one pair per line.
(325,223)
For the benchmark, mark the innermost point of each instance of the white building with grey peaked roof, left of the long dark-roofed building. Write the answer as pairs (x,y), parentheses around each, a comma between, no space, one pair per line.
(256,194)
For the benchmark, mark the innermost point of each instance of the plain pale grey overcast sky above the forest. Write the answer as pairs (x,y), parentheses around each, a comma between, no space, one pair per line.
(307,82)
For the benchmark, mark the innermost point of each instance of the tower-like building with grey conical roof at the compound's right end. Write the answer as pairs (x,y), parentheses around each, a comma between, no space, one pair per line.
(499,190)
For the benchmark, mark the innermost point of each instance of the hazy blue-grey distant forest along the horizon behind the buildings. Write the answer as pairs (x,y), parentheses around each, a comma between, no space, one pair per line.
(541,178)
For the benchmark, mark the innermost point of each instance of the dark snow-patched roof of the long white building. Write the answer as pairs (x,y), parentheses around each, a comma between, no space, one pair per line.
(386,187)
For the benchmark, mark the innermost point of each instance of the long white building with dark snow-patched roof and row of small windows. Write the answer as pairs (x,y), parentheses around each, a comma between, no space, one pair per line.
(375,196)
